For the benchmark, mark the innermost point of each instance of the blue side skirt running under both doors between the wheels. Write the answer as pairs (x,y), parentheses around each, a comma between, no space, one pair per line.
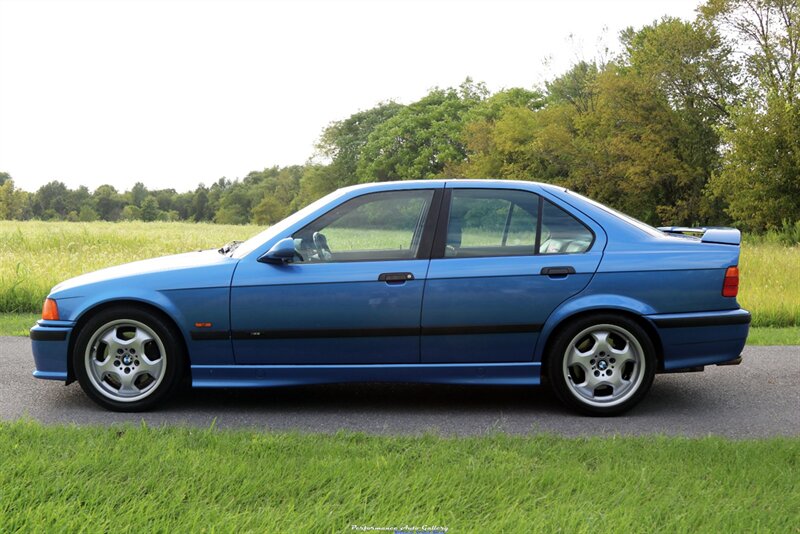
(258,376)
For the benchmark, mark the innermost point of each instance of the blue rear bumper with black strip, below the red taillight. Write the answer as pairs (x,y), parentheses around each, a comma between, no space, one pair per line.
(697,339)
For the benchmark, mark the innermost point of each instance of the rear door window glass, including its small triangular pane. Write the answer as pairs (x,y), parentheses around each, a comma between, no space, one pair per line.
(507,222)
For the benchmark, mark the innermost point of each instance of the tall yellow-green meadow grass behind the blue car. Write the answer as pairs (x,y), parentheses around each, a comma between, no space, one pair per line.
(34,256)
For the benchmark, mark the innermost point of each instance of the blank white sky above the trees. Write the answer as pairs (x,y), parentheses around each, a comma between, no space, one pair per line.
(174,93)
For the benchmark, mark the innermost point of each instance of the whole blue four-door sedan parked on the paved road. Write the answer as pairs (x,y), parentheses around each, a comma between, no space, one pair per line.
(438,281)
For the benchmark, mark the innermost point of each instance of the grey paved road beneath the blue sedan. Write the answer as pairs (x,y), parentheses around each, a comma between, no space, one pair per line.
(760,397)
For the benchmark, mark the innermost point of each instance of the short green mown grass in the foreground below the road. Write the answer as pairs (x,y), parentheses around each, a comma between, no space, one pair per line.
(134,479)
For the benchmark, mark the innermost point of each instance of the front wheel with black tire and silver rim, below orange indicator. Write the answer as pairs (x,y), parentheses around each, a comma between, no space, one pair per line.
(127,359)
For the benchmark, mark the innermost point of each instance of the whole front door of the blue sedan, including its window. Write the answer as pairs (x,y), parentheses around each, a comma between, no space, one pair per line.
(354,294)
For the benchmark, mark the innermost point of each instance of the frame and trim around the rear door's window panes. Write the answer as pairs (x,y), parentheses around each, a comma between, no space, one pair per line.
(440,239)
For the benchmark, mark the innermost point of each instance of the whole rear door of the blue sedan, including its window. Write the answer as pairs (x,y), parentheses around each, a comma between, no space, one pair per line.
(503,260)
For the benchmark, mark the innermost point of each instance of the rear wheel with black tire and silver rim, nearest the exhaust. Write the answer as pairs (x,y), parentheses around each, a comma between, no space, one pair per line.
(601,364)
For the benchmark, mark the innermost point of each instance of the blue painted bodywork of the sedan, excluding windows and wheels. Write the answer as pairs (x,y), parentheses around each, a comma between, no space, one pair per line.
(629,268)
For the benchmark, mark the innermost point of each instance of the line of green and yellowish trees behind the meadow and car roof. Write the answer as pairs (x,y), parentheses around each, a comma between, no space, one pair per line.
(693,123)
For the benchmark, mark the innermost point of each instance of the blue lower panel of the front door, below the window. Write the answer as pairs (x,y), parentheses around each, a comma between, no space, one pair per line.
(326,296)
